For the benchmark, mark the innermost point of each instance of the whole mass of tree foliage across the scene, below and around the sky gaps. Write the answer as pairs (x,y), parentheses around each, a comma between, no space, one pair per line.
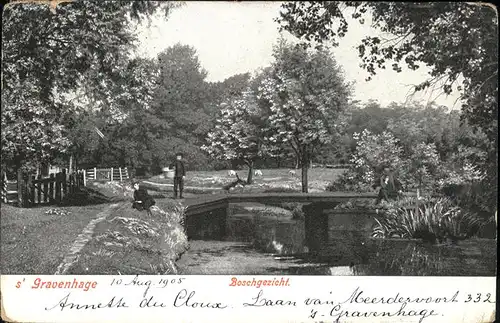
(72,88)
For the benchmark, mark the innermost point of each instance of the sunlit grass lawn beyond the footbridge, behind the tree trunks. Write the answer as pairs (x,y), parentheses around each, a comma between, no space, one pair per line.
(271,180)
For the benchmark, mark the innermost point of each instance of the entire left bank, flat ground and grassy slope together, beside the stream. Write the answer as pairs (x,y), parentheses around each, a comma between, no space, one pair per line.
(105,238)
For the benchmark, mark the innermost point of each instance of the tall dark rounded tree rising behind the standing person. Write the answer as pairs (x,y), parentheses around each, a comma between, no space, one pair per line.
(180,102)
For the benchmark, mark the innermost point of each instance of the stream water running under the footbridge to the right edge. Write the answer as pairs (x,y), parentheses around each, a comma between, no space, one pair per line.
(266,240)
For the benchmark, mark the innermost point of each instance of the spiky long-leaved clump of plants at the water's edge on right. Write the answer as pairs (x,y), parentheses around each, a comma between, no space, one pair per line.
(435,221)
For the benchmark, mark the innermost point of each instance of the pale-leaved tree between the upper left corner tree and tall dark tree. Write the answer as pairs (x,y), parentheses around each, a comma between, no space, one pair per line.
(121,109)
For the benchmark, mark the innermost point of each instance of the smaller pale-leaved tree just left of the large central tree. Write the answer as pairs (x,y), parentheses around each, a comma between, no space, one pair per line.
(238,132)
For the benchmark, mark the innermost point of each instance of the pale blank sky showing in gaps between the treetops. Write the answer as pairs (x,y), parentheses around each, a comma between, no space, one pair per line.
(237,37)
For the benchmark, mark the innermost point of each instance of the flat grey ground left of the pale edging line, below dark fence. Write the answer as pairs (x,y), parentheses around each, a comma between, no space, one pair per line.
(35,242)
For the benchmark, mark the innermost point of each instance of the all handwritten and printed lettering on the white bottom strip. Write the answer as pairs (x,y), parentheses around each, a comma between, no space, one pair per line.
(337,306)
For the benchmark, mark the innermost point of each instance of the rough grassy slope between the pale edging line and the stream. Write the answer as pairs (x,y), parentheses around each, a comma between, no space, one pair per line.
(132,242)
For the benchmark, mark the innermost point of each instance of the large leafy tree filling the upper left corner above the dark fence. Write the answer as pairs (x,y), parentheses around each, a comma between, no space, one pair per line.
(51,52)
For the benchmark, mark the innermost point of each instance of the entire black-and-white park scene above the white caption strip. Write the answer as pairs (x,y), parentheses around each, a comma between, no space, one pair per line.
(249,138)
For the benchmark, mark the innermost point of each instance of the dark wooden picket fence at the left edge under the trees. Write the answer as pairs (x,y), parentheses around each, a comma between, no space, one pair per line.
(34,191)
